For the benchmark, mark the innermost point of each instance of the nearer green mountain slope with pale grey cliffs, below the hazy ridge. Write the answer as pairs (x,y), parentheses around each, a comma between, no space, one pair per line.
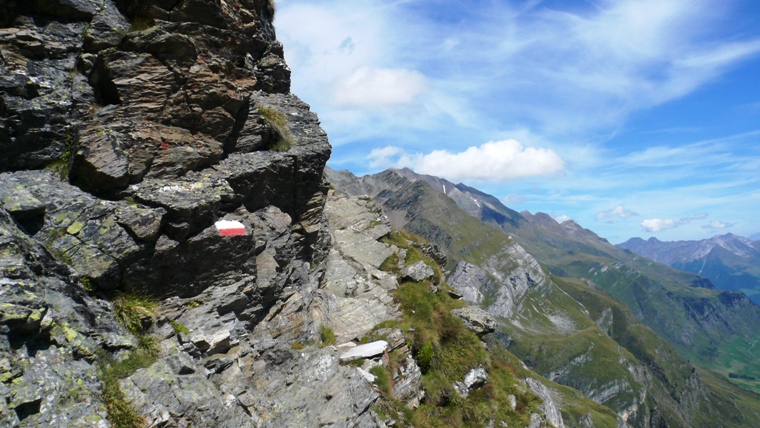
(627,368)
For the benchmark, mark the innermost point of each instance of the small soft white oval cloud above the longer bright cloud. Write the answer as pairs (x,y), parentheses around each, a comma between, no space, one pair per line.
(372,88)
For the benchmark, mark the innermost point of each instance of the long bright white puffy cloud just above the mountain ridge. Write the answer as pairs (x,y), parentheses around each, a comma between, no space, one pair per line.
(495,161)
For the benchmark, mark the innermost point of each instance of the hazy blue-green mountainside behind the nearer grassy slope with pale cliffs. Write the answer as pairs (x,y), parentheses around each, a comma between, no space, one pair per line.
(714,328)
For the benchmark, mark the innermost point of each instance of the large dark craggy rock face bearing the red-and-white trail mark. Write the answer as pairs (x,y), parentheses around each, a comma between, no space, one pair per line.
(155,120)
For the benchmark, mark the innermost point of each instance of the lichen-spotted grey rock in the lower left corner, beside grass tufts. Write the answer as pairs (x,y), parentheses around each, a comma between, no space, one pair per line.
(50,332)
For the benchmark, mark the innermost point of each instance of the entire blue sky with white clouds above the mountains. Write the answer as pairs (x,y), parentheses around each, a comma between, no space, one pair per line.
(632,117)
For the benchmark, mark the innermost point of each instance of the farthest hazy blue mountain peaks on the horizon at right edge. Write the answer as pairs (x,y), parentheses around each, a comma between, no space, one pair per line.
(730,262)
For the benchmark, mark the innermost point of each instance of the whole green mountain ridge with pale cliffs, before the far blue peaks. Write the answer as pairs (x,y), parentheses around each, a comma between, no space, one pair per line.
(579,310)
